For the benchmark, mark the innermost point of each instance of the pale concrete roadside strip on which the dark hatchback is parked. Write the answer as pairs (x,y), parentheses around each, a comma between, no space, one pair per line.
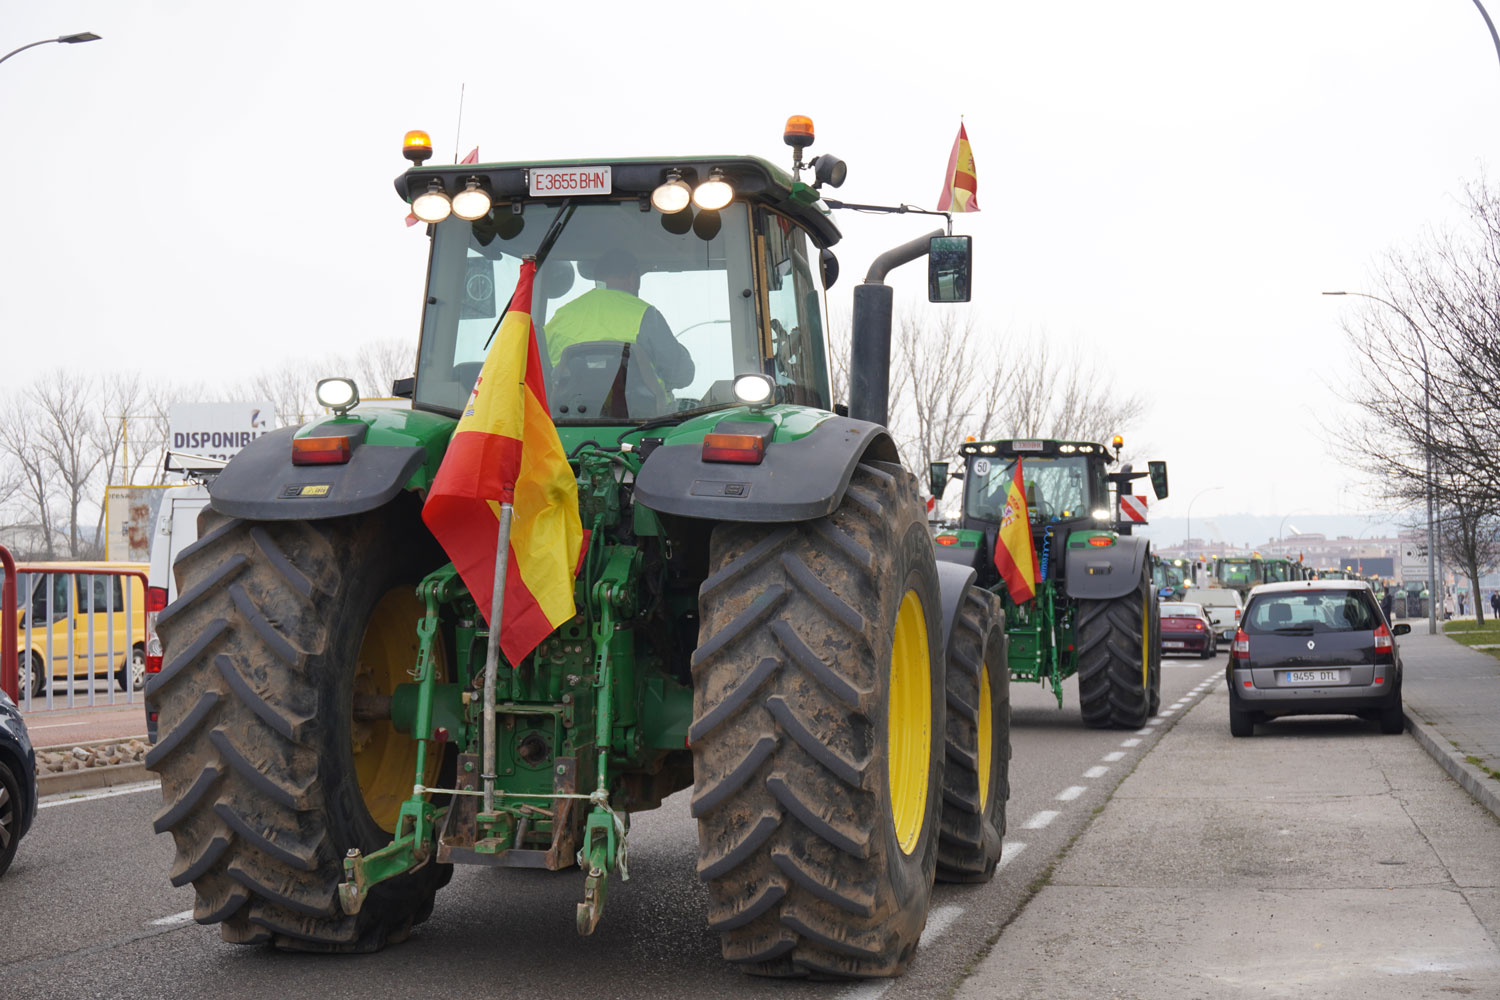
(1316,860)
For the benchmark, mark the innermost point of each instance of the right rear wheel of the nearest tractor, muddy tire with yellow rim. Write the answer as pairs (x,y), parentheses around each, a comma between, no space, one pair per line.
(818,735)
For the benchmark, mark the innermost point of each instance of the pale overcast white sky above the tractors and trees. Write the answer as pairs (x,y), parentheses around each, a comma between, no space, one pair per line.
(1169,184)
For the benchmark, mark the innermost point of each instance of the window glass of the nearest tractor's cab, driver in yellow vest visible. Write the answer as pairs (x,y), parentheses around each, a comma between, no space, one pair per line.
(632,322)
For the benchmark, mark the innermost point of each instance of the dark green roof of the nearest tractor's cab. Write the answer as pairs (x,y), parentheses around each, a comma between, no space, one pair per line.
(752,178)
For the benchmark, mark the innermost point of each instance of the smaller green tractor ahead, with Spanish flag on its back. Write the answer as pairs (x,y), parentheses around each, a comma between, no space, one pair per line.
(1096,608)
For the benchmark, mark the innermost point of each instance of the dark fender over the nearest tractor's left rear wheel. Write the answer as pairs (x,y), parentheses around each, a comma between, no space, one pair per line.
(263,485)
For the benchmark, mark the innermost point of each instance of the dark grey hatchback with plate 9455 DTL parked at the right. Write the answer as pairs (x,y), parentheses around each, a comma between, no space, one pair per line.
(1315,648)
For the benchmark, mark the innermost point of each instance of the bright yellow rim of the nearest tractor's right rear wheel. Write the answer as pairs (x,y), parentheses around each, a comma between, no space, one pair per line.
(910,723)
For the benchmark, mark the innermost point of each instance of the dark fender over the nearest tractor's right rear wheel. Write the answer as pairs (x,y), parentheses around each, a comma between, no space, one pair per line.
(797,481)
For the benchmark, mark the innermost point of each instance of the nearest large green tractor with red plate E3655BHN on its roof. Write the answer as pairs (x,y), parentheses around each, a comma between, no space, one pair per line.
(760,615)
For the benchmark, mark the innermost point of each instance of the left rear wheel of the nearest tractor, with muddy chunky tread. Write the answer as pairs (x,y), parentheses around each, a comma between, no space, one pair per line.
(263,782)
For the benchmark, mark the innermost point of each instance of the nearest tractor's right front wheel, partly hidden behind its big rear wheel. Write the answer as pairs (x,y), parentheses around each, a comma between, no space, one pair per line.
(979,741)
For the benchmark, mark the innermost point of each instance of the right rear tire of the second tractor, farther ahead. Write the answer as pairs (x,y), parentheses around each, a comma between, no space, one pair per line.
(1120,659)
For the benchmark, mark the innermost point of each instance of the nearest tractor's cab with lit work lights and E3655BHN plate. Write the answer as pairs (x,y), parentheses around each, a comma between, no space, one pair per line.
(659,283)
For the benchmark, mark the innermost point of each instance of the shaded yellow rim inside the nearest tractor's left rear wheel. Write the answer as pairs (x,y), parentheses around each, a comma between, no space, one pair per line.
(386,761)
